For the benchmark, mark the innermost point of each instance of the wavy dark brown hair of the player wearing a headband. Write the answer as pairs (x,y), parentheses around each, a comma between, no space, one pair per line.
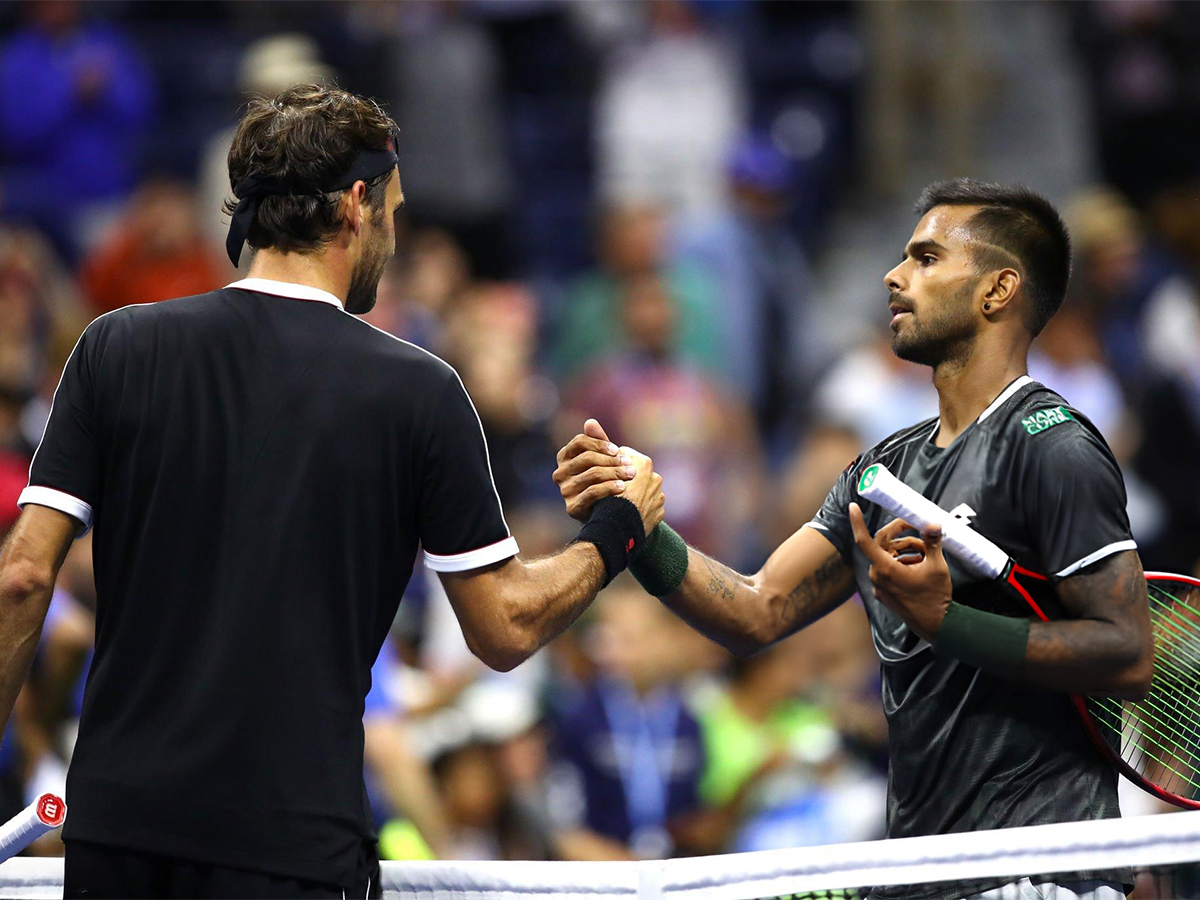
(307,136)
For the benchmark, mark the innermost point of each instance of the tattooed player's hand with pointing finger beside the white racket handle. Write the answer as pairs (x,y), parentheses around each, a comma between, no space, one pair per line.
(909,575)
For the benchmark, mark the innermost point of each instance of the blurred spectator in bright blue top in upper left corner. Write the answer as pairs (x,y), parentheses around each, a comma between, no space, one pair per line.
(75,101)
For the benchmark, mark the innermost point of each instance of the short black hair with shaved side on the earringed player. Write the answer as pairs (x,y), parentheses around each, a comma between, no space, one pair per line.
(1018,223)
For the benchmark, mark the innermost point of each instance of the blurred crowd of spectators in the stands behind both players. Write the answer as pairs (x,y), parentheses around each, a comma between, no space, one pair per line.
(614,211)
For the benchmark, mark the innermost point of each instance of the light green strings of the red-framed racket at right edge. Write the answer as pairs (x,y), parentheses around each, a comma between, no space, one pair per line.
(1160,735)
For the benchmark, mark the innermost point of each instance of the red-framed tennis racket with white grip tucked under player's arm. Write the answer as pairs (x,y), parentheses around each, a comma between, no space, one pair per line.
(1154,742)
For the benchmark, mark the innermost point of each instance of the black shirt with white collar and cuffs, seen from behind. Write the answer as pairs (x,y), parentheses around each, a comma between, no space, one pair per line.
(261,467)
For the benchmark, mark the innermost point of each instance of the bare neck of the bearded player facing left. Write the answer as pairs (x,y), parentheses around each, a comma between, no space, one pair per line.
(969,386)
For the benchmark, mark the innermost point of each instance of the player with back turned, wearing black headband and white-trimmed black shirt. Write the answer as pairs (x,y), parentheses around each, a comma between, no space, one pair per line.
(260,467)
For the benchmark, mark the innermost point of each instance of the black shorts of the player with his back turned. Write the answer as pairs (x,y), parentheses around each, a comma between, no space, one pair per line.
(94,871)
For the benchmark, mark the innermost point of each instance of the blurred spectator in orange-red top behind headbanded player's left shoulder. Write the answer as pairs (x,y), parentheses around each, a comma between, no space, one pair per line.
(157,253)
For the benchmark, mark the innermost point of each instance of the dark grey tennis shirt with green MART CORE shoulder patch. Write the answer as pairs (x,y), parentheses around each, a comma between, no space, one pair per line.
(971,751)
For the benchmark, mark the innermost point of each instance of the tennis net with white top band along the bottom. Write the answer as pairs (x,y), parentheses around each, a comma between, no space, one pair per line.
(1160,855)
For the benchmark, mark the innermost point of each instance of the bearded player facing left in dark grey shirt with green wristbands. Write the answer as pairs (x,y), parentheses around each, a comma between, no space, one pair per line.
(982,733)
